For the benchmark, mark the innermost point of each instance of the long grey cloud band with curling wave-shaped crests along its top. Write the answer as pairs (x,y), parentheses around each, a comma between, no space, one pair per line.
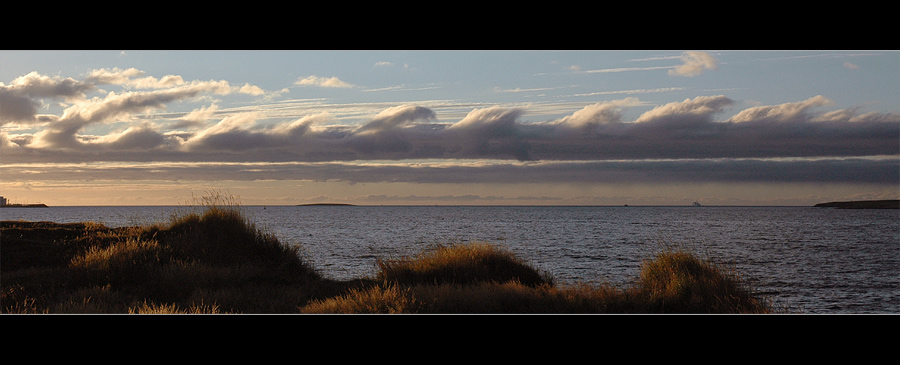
(682,130)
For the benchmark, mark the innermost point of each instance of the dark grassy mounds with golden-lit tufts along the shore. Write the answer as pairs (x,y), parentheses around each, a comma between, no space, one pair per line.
(216,262)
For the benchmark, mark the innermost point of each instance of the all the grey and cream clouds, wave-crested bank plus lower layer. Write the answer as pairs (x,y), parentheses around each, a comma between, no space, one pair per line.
(686,140)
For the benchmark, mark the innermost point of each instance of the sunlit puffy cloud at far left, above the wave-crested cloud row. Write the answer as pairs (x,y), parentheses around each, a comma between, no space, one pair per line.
(21,99)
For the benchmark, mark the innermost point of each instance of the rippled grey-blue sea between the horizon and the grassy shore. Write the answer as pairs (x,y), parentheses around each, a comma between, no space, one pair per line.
(808,259)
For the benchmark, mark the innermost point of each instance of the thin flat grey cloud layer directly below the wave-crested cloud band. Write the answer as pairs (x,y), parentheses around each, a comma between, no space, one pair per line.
(881,170)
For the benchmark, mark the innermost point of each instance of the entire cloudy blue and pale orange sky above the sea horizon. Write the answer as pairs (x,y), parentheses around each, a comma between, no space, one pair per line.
(450,127)
